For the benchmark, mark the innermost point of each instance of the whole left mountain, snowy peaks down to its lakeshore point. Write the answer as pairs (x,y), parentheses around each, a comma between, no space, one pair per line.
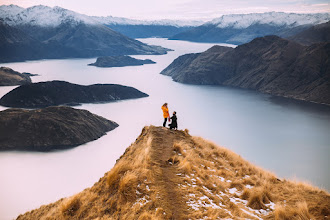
(41,32)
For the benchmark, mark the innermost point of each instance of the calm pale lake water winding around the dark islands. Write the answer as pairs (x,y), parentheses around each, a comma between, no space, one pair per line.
(288,138)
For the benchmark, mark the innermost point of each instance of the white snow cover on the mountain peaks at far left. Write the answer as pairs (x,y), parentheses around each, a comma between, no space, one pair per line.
(42,16)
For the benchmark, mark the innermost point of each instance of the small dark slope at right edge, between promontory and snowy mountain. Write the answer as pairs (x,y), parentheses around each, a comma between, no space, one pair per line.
(316,34)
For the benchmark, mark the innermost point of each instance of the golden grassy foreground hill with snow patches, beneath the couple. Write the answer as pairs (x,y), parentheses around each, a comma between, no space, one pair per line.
(169,174)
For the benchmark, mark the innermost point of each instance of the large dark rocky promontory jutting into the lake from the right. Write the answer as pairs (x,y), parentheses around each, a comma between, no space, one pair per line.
(268,64)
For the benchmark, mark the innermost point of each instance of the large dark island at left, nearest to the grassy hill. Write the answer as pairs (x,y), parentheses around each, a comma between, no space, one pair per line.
(50,129)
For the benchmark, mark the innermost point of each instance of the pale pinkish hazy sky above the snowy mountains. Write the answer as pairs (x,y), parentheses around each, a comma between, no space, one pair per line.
(178,9)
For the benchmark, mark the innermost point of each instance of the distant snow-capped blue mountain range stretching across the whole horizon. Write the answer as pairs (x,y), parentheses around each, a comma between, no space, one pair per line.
(234,28)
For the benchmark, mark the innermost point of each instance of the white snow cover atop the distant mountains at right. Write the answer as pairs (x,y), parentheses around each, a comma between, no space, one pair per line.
(241,21)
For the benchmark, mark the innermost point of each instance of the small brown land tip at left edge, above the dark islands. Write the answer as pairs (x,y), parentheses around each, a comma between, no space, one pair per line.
(9,77)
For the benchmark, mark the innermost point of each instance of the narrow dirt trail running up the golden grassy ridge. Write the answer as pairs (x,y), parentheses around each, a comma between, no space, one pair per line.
(161,151)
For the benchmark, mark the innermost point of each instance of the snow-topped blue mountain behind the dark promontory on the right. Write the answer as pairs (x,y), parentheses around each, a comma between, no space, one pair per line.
(242,28)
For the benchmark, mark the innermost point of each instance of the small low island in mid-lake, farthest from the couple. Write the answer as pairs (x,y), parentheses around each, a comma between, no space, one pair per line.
(119,61)
